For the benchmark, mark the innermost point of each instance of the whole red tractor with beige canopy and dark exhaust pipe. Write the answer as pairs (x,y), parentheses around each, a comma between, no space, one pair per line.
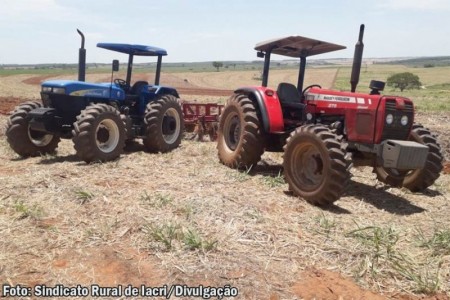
(323,132)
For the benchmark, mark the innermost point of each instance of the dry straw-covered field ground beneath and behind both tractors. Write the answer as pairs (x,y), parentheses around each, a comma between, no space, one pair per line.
(183,218)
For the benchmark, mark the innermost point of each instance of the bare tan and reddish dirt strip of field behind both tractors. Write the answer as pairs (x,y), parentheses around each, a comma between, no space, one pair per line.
(211,84)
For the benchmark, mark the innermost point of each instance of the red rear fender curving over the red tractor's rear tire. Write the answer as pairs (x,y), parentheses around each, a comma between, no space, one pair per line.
(269,107)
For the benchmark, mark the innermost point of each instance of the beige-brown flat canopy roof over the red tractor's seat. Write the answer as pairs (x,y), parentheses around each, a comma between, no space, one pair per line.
(297,46)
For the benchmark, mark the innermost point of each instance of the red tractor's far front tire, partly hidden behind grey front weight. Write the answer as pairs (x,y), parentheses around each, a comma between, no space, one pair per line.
(419,179)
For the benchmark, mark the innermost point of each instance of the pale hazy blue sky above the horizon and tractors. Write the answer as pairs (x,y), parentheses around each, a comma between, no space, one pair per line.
(44,31)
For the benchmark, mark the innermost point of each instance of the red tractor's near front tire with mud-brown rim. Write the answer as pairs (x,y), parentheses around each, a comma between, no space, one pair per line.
(316,164)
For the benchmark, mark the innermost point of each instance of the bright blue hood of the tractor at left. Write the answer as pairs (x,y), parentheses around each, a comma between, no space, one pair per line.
(83,89)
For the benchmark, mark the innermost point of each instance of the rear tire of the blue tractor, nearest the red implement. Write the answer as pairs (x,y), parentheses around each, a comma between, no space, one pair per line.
(164,124)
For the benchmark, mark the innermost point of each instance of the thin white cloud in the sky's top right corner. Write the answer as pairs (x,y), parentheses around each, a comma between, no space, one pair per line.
(415,4)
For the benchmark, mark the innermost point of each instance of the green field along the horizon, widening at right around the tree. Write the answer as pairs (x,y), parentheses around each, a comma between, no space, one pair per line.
(433,96)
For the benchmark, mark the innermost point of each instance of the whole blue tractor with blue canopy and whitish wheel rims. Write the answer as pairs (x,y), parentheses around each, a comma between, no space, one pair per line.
(100,117)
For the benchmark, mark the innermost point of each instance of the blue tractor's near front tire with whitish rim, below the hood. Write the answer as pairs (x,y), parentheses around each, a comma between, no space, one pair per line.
(99,133)
